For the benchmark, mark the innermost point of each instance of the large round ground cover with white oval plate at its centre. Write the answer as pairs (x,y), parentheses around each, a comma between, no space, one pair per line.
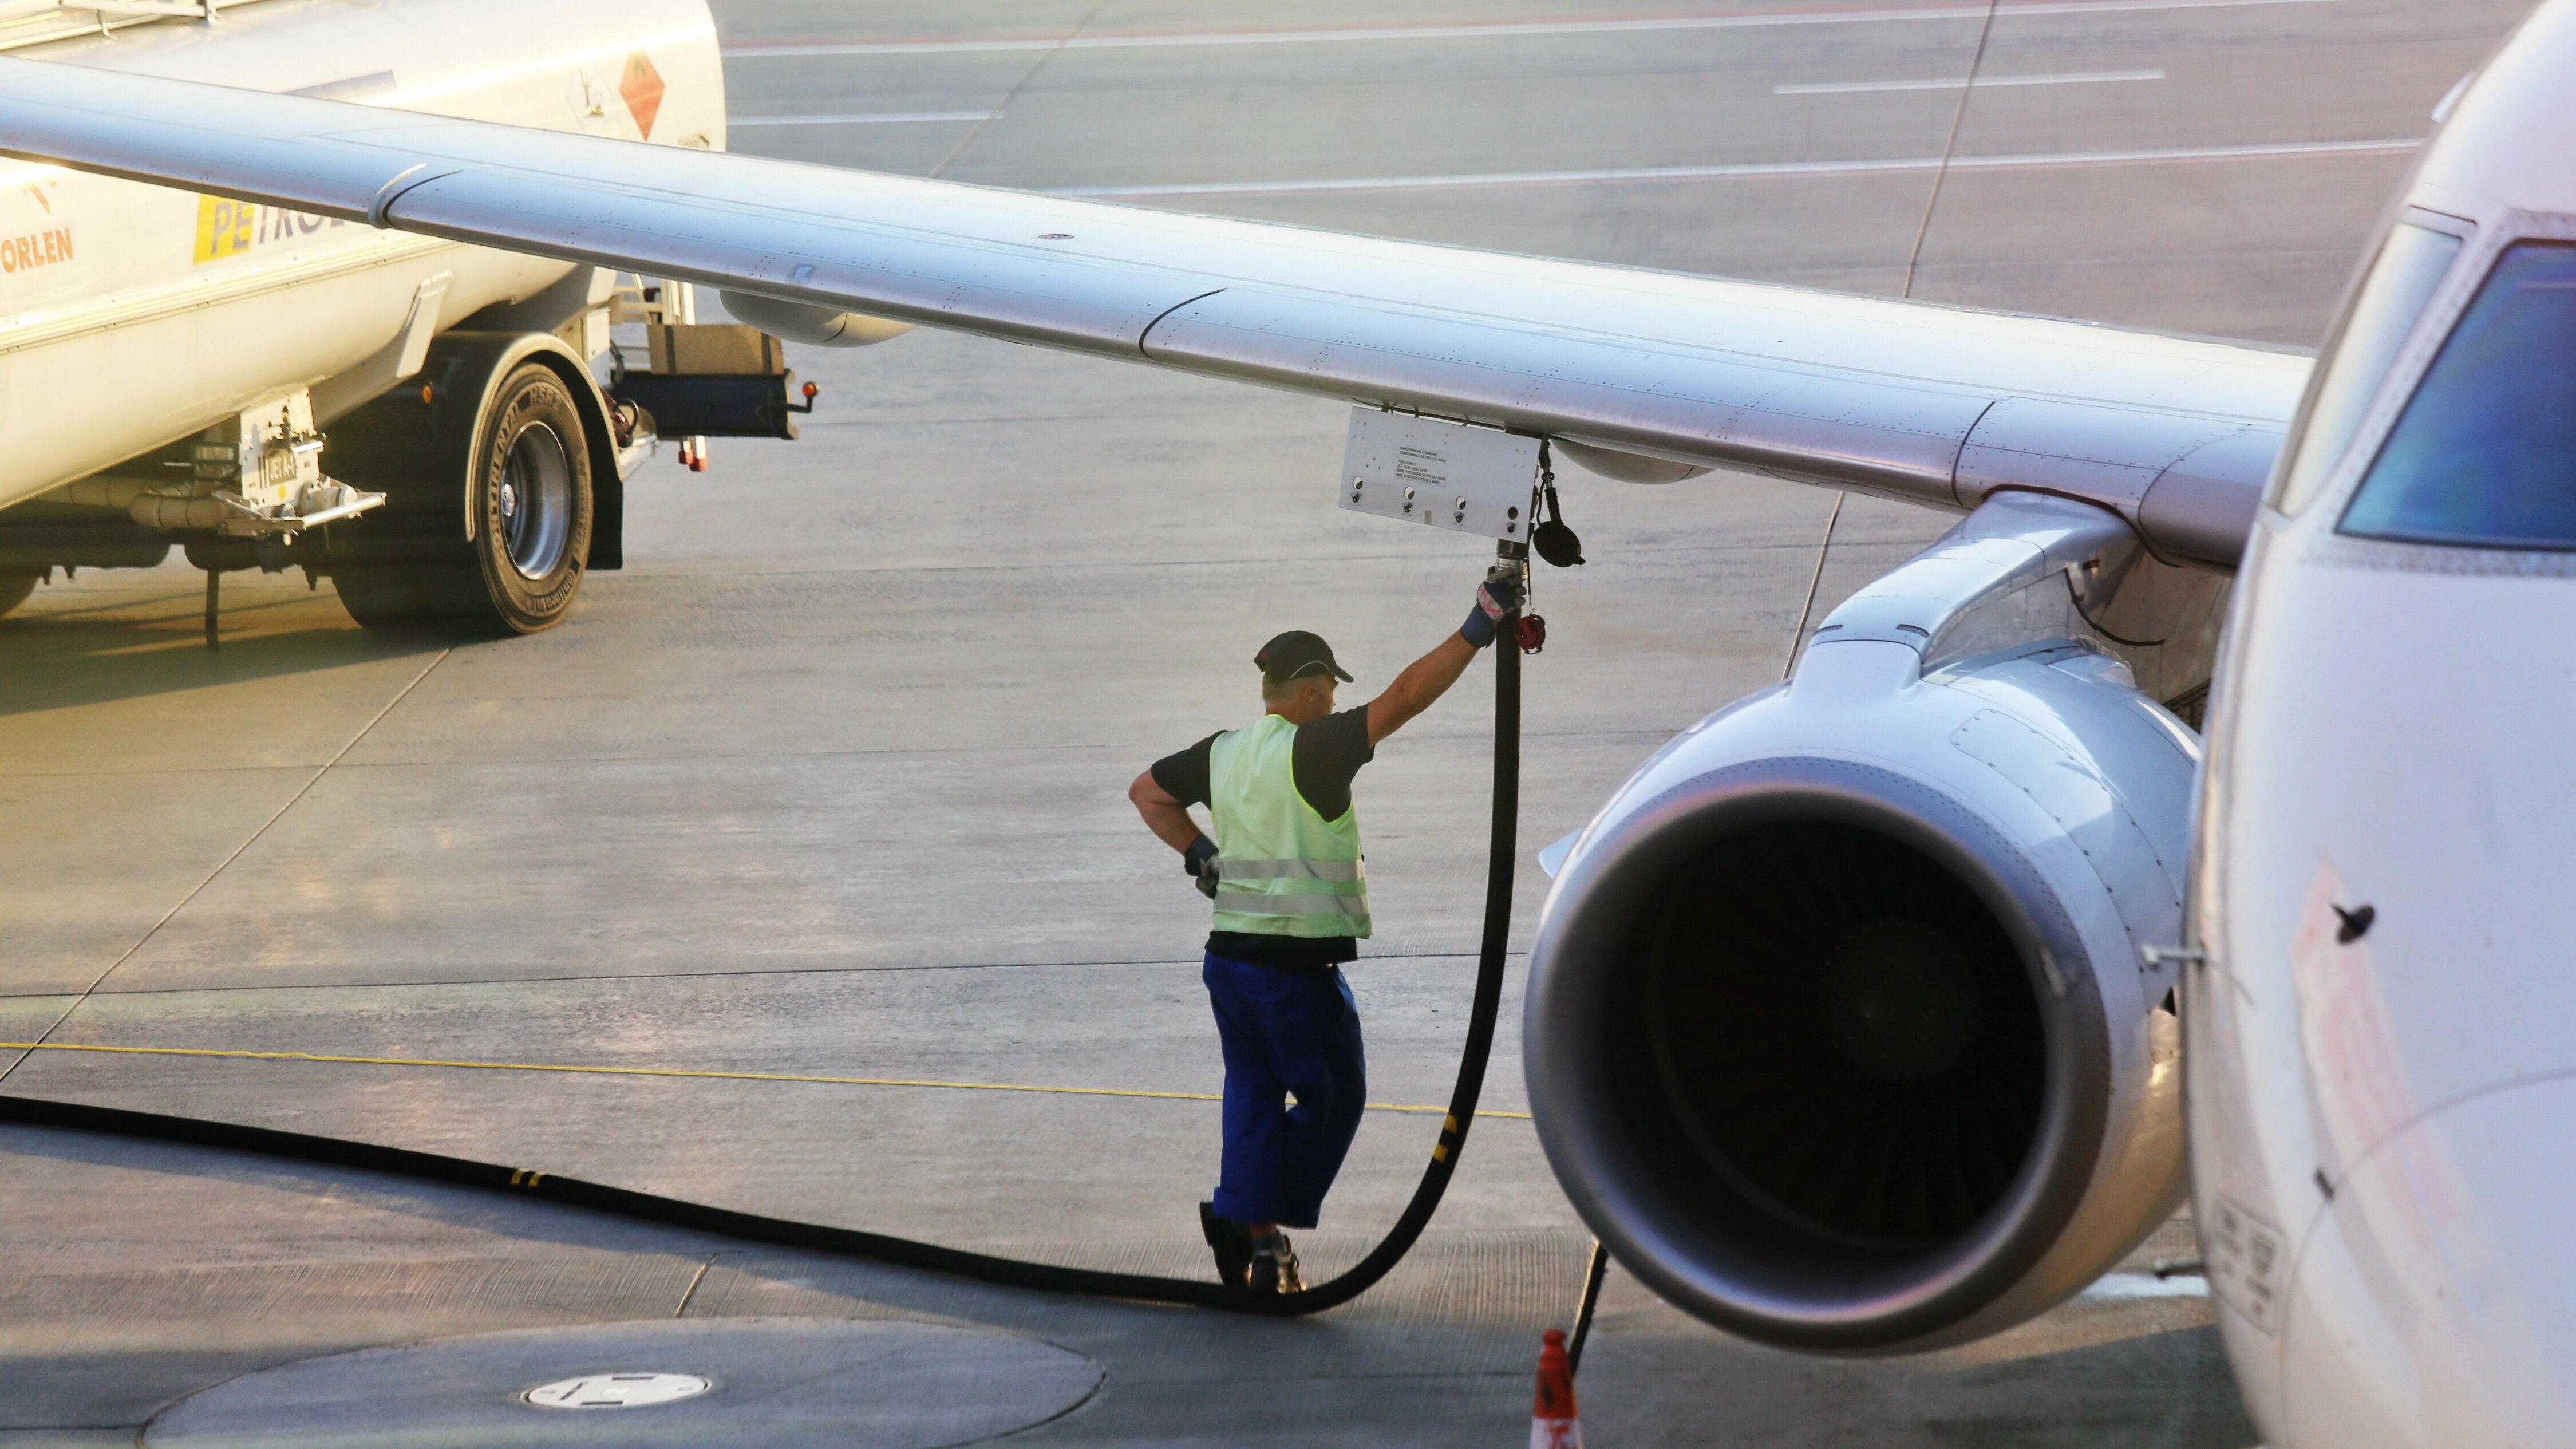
(779,1383)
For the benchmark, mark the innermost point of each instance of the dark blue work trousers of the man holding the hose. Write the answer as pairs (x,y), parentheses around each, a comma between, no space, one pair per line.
(1287,1035)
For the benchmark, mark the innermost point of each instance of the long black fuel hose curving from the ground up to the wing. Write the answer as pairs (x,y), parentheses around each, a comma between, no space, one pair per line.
(905,1252)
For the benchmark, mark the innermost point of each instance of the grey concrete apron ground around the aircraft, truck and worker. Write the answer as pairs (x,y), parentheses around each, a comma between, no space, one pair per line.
(831,780)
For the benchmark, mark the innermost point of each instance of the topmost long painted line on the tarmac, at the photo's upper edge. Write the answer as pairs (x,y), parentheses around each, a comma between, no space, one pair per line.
(1498,30)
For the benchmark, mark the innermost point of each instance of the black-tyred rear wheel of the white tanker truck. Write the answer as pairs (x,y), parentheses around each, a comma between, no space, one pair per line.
(496,553)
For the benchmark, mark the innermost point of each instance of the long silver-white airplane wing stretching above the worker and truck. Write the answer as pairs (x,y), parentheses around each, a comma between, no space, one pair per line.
(1897,398)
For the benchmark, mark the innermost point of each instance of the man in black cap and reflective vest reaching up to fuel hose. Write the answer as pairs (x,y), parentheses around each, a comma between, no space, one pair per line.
(1292,904)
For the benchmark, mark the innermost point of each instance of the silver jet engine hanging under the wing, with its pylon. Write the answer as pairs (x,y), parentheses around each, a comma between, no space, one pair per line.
(1838,1025)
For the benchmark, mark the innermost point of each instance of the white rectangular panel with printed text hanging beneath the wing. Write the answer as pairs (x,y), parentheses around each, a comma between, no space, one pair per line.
(1449,476)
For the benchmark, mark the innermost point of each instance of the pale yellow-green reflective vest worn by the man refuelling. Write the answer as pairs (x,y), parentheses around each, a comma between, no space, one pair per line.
(1282,870)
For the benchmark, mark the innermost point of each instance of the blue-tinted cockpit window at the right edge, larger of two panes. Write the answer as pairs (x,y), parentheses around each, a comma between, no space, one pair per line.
(2487,450)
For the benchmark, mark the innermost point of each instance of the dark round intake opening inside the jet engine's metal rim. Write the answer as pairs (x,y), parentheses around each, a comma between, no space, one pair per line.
(1861,1082)
